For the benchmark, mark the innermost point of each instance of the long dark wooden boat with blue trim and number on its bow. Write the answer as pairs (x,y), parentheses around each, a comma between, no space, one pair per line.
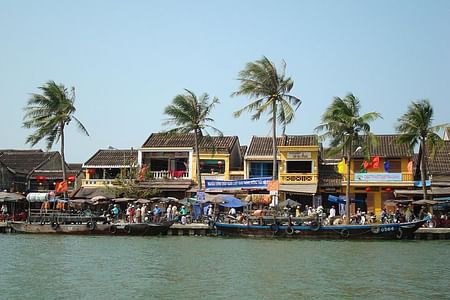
(282,227)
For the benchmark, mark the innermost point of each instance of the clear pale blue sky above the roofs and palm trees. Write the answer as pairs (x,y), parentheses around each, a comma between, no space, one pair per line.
(128,59)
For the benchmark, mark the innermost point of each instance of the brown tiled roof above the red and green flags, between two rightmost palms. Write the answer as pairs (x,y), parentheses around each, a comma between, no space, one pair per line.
(388,147)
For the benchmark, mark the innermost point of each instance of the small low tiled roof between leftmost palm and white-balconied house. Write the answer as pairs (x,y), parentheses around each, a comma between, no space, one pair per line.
(116,158)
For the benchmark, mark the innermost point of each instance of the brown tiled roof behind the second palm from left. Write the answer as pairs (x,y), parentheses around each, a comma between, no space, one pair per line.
(218,143)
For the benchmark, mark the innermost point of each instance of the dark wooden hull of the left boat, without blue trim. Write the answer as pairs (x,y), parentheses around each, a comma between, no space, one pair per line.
(93,228)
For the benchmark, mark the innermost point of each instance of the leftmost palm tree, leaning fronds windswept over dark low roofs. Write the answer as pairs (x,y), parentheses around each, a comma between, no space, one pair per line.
(49,113)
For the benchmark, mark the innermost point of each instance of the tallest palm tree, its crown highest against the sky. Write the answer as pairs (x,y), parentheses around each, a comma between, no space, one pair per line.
(269,87)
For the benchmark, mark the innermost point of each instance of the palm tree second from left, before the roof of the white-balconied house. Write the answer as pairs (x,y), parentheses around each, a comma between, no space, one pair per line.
(190,114)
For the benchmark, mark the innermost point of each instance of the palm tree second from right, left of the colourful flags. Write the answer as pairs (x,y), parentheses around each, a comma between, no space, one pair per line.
(348,130)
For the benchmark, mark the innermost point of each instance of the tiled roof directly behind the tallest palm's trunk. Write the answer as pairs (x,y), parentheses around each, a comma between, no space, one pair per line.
(262,146)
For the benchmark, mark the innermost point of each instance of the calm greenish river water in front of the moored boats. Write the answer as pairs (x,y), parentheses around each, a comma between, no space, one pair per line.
(96,267)
